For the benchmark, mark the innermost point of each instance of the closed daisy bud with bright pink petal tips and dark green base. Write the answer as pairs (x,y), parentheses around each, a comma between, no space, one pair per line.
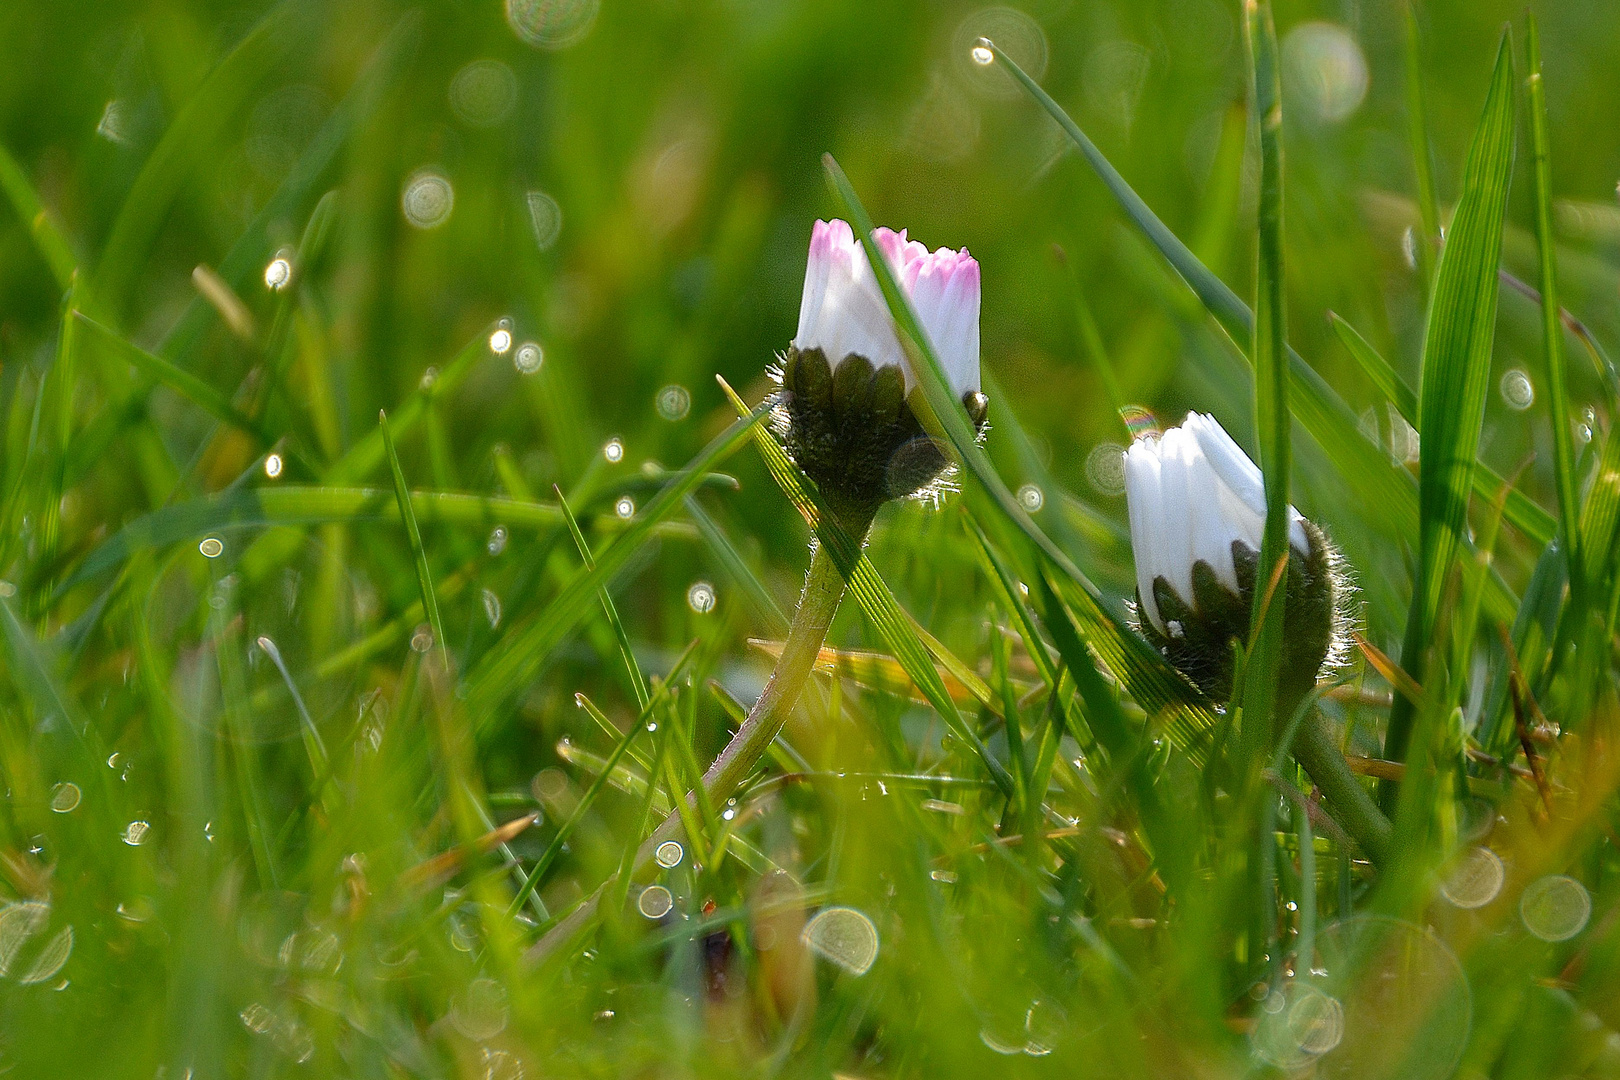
(843,406)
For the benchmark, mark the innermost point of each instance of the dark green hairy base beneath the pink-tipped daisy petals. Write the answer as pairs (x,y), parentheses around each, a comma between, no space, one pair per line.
(851,430)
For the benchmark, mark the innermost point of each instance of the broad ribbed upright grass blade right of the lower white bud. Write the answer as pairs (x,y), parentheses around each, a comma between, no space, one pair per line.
(1457,372)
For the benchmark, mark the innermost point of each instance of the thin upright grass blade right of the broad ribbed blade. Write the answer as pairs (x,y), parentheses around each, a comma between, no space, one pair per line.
(1553,328)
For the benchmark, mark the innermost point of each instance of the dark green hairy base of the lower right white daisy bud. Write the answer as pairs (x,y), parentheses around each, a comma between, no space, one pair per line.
(1198,637)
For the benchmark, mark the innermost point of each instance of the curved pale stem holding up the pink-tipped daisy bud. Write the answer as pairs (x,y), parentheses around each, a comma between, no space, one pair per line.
(817,606)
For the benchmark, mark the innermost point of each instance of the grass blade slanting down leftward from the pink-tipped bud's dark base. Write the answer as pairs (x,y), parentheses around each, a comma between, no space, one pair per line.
(519,655)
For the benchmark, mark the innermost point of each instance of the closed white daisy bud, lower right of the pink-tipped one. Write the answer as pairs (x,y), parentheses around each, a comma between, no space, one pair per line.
(1198,516)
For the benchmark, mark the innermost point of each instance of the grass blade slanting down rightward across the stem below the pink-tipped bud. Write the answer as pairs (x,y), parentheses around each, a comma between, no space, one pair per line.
(874,597)
